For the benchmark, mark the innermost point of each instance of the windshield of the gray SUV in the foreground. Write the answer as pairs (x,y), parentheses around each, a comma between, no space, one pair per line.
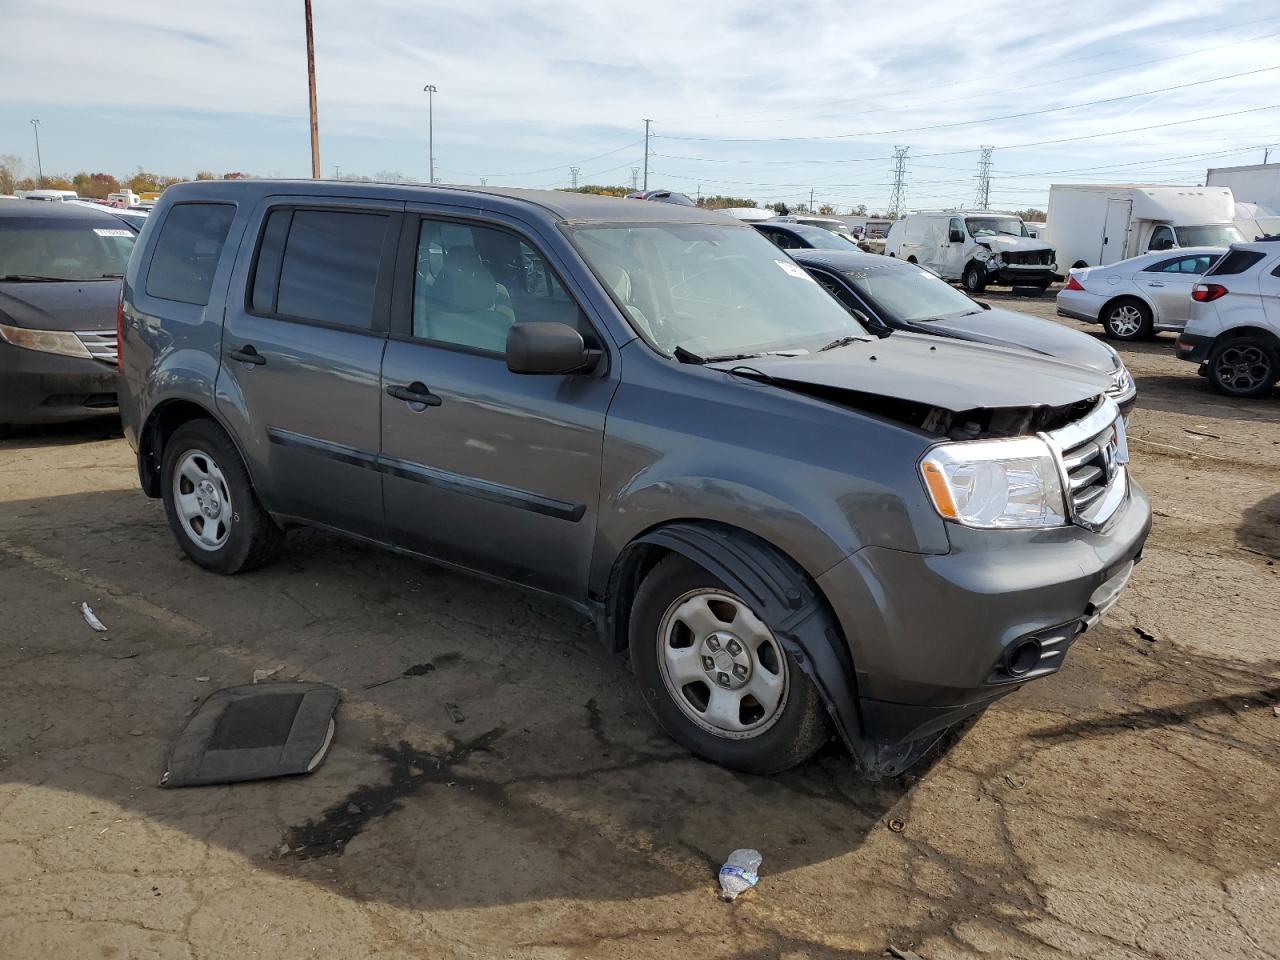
(715,291)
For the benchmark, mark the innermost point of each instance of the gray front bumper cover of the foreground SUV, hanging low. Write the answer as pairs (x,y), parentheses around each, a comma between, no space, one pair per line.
(939,638)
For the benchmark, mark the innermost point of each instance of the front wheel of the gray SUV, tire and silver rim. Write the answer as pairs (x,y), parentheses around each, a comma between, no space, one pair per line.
(781,729)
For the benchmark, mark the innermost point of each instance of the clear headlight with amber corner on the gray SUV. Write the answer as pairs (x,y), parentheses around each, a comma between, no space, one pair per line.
(996,484)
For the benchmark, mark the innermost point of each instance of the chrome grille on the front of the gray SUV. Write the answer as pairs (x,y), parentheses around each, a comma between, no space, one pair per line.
(1092,454)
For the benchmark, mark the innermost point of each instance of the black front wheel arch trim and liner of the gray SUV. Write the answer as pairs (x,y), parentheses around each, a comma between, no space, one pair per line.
(779,589)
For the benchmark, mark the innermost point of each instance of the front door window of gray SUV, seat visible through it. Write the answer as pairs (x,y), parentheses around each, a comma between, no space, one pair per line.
(473,284)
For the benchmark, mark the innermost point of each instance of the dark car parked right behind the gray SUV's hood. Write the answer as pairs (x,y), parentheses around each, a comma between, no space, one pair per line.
(894,295)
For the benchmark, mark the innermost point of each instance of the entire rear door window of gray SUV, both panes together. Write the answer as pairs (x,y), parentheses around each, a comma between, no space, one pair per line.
(321,267)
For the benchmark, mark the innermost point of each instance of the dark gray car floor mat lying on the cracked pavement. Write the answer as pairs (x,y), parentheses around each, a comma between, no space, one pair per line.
(254,732)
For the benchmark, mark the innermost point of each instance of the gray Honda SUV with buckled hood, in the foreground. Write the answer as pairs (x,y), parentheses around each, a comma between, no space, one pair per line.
(650,412)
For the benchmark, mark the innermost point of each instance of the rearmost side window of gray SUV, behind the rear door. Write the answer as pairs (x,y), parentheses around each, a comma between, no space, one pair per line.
(188,250)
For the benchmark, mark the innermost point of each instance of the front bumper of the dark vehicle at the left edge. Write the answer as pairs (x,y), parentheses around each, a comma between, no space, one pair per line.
(48,388)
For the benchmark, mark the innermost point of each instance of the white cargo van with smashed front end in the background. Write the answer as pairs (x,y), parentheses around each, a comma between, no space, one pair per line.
(973,246)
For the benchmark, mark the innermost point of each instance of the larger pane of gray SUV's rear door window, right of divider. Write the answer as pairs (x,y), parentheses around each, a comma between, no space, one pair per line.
(330,271)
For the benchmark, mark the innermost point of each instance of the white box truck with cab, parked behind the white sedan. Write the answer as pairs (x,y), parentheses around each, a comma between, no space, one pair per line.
(1095,225)
